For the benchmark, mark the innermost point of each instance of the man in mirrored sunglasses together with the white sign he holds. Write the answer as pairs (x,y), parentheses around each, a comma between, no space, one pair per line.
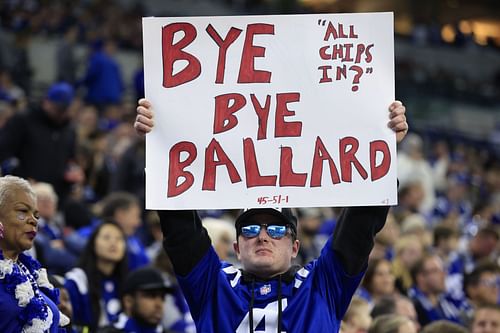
(270,111)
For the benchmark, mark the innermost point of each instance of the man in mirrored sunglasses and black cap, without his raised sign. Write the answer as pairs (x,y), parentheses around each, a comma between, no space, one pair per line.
(269,294)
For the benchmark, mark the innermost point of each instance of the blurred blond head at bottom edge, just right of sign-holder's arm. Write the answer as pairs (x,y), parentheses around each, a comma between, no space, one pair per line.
(357,317)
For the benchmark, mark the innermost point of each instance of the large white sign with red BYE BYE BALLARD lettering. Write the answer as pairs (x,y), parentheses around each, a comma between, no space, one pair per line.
(270,111)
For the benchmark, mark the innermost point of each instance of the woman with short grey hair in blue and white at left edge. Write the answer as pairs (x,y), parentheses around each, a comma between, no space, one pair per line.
(27,298)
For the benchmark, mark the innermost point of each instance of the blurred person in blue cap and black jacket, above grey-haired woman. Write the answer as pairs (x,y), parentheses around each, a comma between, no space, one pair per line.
(41,143)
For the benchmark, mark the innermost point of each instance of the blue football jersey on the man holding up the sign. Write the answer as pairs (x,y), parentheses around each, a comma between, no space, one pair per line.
(315,300)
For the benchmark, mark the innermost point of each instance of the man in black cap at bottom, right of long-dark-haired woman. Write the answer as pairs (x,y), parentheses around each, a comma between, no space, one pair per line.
(143,300)
